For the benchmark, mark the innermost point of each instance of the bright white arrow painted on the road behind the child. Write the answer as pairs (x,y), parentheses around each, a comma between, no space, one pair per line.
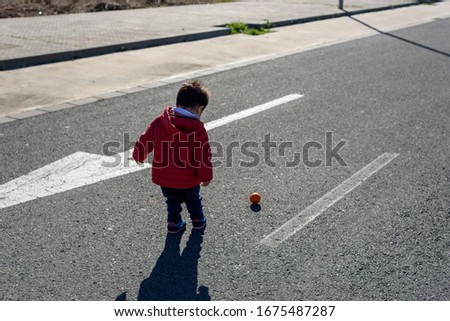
(81,169)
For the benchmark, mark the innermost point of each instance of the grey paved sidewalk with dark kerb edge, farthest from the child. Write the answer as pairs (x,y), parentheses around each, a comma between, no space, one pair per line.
(46,39)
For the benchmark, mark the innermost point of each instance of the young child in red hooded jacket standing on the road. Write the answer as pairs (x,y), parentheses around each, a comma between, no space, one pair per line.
(182,155)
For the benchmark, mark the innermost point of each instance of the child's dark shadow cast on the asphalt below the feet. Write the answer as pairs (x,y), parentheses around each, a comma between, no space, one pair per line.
(174,277)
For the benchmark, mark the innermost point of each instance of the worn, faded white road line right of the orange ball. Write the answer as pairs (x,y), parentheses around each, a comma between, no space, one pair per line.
(306,216)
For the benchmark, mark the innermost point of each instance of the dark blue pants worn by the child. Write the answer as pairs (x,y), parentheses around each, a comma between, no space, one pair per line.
(175,197)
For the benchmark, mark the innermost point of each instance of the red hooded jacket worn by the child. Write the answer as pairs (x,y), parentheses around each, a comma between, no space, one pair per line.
(182,154)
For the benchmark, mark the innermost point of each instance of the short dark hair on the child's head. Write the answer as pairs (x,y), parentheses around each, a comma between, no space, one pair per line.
(192,93)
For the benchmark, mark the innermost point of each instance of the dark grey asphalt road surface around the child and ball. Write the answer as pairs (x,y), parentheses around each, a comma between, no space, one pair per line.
(386,240)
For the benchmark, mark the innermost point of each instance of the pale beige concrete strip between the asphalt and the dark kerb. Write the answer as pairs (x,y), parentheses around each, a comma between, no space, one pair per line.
(27,92)
